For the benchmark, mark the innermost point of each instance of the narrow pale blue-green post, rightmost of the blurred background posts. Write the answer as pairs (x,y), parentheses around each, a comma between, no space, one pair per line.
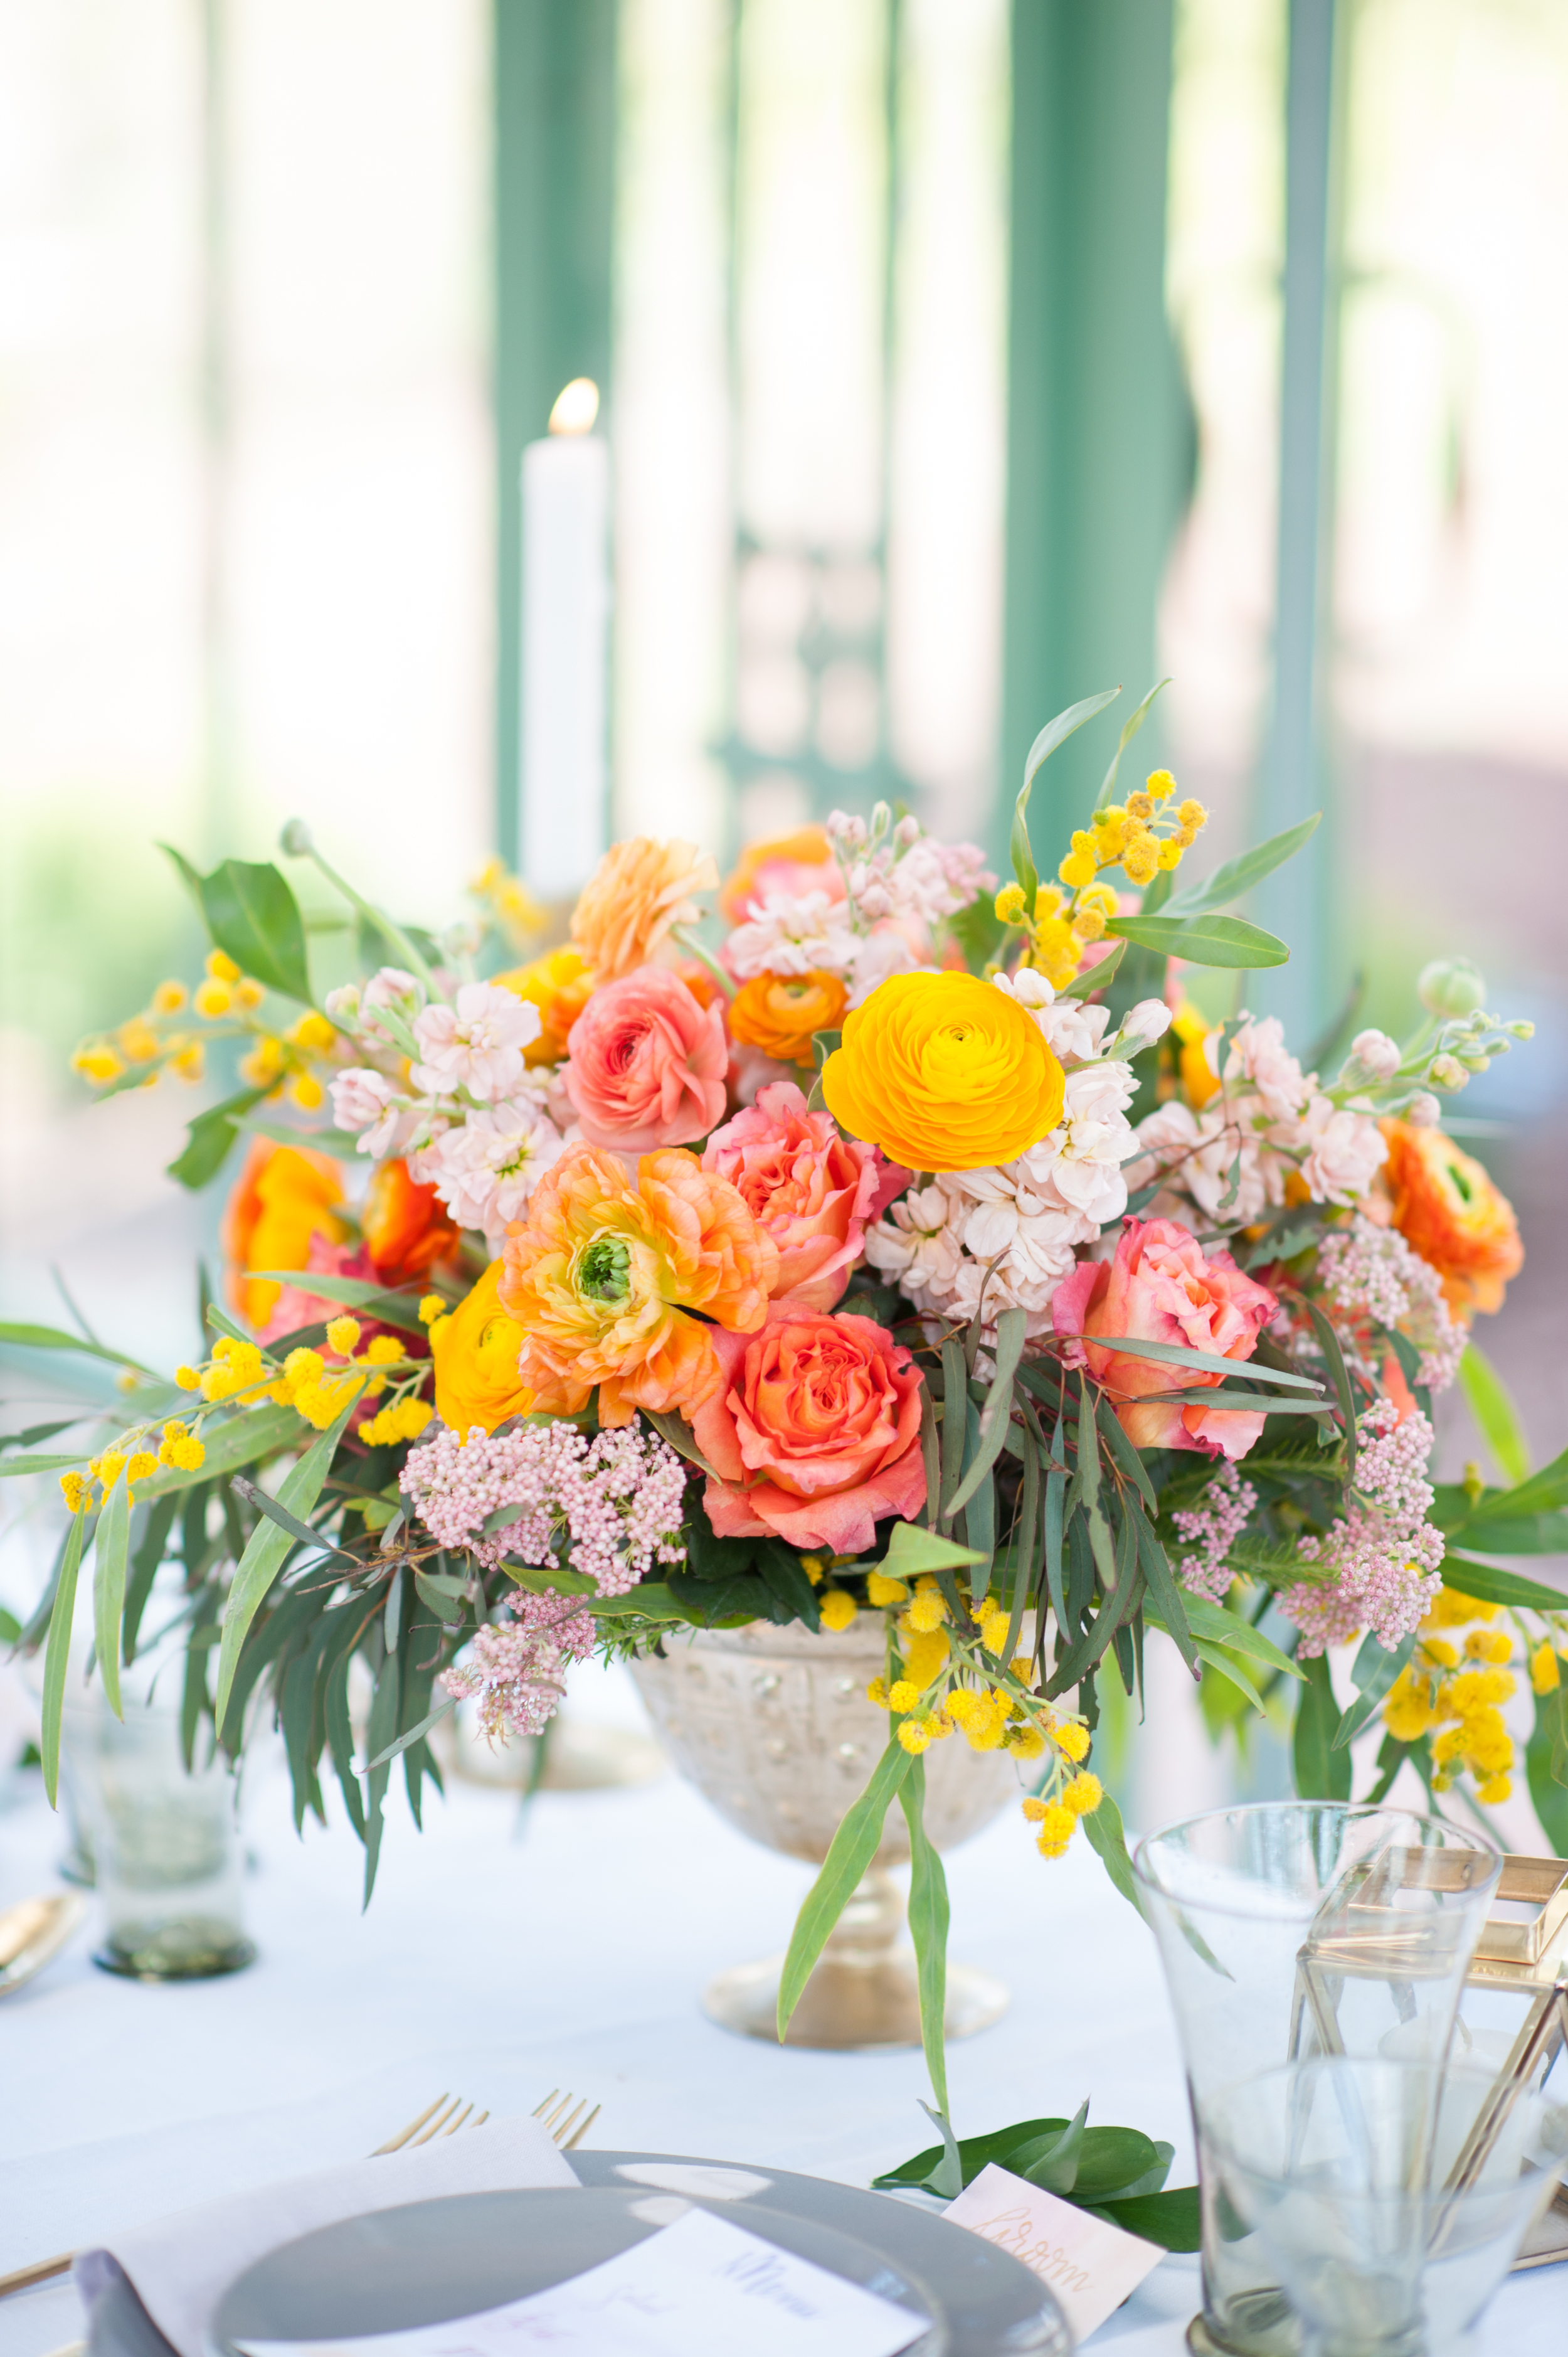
(1293,784)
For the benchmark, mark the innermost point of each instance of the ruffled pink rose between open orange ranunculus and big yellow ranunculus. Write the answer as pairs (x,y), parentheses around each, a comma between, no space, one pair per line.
(808,1187)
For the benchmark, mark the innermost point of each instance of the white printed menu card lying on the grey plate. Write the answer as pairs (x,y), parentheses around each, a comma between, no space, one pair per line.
(701,2287)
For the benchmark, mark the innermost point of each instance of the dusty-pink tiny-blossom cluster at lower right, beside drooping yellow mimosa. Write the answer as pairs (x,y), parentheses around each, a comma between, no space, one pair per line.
(1383,1557)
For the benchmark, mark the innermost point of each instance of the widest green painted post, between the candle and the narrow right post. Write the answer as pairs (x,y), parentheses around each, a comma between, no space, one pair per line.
(1100,430)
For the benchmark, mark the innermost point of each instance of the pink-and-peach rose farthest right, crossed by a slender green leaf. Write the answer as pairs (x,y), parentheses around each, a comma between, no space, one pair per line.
(1159,1288)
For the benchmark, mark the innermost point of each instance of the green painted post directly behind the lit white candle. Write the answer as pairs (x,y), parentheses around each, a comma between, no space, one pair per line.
(553,72)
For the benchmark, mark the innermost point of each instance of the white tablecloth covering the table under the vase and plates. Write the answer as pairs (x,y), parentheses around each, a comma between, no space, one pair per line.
(572,1957)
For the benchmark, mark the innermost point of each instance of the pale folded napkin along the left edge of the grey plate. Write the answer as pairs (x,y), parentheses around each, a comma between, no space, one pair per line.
(183,2264)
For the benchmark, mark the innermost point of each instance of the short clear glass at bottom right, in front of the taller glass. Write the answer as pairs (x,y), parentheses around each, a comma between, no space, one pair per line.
(1383,2221)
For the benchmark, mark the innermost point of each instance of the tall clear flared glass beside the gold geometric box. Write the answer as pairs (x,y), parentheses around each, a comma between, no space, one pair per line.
(1293,1929)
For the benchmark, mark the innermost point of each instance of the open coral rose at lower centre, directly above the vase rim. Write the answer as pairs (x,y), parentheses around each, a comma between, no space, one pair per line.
(822,1418)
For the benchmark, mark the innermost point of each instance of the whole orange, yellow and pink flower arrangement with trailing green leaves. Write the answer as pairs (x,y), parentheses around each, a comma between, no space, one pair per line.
(902,1248)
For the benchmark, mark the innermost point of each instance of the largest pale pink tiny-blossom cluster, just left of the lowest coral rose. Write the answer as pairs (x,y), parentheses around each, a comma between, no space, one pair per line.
(614,1500)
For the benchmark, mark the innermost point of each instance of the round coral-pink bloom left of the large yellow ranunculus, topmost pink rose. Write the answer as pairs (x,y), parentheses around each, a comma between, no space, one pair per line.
(647,1064)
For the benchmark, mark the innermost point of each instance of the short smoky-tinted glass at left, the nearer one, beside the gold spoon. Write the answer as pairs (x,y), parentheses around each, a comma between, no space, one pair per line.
(169,1854)
